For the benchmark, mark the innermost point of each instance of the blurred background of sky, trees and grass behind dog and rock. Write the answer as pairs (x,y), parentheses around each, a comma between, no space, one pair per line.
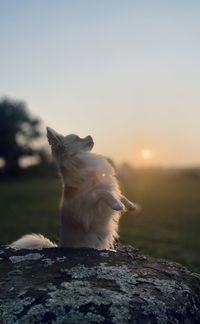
(126,72)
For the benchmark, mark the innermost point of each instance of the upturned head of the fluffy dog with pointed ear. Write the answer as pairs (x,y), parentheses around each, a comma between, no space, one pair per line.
(68,146)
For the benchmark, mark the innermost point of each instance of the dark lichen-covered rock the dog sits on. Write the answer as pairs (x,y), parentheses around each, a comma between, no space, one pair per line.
(62,285)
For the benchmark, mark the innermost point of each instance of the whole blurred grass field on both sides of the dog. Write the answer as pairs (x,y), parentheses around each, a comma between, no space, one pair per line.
(167,227)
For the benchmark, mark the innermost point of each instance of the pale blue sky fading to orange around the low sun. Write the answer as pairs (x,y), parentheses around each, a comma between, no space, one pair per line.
(125,72)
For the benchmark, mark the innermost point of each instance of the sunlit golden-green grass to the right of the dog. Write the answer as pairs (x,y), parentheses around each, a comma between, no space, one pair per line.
(169,224)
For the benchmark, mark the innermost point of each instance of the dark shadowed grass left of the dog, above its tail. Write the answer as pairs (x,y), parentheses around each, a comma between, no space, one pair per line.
(28,206)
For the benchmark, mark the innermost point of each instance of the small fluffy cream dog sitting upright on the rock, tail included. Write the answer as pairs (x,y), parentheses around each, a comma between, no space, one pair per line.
(91,201)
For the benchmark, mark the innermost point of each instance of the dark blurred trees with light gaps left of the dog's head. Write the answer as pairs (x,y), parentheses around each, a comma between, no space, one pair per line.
(21,136)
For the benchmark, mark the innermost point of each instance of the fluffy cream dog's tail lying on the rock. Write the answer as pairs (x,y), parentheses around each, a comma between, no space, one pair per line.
(32,241)
